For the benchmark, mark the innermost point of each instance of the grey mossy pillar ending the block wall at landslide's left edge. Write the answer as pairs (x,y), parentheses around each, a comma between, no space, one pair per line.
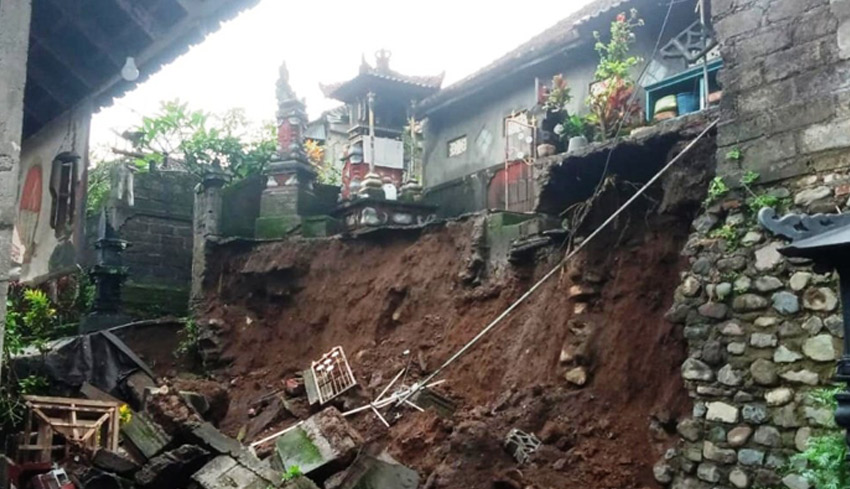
(206,225)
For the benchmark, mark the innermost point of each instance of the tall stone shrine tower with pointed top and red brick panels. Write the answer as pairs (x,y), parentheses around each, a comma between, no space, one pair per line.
(289,188)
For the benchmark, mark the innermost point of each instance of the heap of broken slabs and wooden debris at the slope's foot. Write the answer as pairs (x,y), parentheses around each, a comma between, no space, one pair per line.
(171,441)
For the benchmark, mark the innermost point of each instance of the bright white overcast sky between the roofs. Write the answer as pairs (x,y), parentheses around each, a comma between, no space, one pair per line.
(322,41)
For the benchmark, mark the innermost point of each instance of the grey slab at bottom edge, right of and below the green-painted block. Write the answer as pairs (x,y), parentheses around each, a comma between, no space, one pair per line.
(370,472)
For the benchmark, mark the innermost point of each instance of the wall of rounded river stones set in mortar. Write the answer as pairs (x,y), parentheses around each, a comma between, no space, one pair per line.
(763,333)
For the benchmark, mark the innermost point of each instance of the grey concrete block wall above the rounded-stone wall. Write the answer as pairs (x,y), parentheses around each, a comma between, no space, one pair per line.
(785,83)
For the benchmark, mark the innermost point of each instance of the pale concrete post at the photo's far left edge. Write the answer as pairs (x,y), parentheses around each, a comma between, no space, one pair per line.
(14,44)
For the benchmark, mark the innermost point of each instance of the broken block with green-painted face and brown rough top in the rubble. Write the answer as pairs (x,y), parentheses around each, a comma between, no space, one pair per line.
(324,441)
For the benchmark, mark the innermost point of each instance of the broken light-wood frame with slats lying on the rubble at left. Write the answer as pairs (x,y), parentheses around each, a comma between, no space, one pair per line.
(55,424)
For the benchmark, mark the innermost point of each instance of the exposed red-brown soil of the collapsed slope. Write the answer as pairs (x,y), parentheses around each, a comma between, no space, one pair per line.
(283,304)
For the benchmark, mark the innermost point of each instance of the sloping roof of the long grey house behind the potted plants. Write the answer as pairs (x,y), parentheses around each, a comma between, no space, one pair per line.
(557,37)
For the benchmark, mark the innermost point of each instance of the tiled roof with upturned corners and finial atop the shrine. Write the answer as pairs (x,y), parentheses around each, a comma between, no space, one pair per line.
(380,78)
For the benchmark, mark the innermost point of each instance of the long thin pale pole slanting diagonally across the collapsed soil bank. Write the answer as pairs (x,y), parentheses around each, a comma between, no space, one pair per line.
(495,322)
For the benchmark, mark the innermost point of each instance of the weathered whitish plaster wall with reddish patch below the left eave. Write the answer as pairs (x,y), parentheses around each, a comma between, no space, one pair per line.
(43,254)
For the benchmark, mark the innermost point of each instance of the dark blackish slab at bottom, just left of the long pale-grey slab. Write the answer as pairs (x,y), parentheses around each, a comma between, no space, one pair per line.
(173,468)
